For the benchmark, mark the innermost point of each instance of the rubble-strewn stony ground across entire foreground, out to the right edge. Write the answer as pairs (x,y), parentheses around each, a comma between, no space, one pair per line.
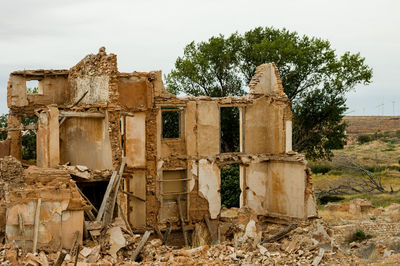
(327,241)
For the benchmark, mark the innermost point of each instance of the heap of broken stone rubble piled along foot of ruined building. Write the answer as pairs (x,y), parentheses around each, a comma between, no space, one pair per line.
(245,241)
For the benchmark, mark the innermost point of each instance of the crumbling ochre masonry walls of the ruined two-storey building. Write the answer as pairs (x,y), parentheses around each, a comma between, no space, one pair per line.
(92,115)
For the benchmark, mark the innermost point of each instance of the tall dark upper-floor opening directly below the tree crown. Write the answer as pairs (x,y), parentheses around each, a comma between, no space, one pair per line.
(230,129)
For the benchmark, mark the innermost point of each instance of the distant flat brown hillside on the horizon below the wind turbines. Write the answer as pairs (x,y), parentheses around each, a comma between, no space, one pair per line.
(358,125)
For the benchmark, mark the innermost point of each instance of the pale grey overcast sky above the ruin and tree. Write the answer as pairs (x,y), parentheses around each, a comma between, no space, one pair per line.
(149,35)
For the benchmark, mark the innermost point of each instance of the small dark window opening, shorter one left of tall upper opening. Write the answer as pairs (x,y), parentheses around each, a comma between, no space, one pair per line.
(171,123)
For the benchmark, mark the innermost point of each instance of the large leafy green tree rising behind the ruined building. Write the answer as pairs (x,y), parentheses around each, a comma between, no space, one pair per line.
(314,77)
